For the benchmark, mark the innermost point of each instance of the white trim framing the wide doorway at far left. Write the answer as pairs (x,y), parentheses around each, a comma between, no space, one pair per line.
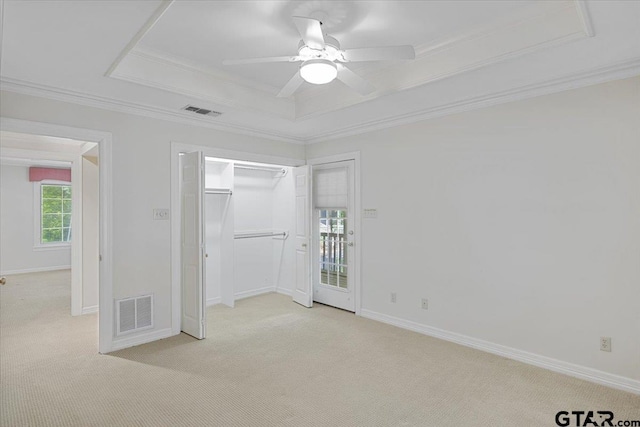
(104,140)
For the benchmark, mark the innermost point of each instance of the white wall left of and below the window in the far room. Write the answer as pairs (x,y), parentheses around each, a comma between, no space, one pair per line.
(17,227)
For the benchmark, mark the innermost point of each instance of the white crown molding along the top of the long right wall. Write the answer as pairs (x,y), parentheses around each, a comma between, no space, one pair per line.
(617,71)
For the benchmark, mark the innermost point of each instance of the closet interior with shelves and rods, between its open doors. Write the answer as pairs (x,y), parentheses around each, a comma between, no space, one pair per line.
(248,215)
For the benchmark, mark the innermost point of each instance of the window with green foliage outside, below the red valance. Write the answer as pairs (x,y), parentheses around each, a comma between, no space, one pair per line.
(55,213)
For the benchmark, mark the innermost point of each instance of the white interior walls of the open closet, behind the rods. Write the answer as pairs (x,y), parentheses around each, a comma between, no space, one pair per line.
(263,202)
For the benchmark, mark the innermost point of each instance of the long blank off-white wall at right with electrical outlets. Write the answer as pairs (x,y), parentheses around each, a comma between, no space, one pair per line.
(520,223)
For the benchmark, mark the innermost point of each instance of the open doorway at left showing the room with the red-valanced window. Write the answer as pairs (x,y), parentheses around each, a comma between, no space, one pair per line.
(50,228)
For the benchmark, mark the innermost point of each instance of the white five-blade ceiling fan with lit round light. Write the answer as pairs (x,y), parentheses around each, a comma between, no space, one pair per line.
(322,60)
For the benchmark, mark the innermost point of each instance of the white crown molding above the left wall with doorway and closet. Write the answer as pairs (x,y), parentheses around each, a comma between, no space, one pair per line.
(66,95)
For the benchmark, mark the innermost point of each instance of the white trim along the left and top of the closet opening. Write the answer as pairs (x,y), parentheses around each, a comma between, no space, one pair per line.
(176,148)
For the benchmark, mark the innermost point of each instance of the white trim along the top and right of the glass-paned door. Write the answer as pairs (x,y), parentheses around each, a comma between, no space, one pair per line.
(355,156)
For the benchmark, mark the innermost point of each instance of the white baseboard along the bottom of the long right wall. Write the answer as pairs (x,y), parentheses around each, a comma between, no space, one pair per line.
(578,371)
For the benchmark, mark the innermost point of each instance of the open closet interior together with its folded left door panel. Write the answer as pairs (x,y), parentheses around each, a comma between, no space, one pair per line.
(242,225)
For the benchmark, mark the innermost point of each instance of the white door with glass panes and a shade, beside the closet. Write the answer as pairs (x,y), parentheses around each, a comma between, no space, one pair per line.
(333,235)
